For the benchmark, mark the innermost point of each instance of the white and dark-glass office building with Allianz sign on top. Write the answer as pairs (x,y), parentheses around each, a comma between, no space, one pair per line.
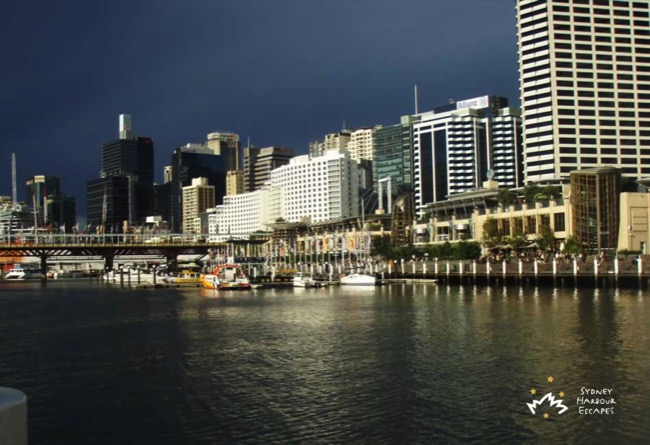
(455,145)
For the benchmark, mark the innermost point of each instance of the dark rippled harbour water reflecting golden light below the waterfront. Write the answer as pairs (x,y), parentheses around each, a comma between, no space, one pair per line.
(392,364)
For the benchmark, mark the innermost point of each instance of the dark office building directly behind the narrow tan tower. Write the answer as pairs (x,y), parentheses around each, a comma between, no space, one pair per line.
(195,161)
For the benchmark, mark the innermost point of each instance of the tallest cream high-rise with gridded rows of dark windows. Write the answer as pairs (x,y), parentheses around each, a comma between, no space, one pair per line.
(584,69)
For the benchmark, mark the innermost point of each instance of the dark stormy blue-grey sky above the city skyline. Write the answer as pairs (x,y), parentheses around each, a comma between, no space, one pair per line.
(281,72)
